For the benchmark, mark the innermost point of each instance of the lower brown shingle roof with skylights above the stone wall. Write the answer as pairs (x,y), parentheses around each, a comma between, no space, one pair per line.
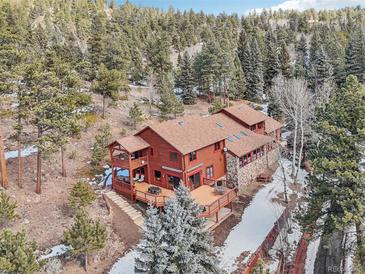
(239,140)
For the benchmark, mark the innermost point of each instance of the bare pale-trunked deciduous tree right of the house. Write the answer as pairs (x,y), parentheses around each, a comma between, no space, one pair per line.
(297,104)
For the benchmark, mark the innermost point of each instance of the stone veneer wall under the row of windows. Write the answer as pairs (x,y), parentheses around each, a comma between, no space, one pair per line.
(246,174)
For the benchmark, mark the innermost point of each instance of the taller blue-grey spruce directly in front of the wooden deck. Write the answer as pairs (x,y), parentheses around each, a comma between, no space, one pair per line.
(187,244)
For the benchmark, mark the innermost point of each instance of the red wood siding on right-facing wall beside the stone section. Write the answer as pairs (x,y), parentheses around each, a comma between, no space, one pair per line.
(206,157)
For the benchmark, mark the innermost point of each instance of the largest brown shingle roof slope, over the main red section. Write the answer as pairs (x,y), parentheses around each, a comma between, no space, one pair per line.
(189,133)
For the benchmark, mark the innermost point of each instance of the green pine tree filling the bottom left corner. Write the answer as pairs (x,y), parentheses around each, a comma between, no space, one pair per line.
(17,255)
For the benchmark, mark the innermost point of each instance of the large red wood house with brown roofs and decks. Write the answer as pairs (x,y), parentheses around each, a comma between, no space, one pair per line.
(212,156)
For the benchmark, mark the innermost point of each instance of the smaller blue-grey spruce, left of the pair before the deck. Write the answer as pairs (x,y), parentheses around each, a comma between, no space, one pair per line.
(151,254)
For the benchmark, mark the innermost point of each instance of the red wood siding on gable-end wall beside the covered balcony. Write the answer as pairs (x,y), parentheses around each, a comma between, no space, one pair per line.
(161,157)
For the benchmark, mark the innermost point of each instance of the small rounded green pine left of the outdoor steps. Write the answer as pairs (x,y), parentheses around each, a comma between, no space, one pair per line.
(81,195)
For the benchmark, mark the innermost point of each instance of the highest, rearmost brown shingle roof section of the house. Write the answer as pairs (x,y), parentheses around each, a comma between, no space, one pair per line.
(246,114)
